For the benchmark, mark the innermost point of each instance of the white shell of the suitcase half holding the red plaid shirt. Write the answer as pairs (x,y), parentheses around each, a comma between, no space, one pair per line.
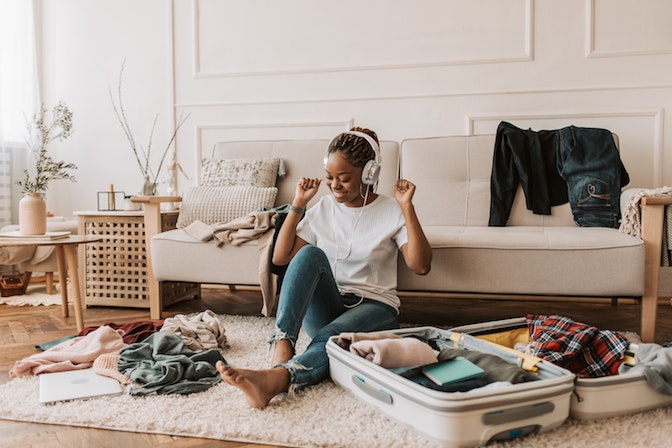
(593,398)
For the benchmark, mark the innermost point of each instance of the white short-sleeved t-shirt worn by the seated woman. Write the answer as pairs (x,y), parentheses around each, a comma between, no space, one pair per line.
(361,243)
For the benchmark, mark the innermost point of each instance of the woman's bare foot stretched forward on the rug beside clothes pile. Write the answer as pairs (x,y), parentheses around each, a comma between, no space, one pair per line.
(259,386)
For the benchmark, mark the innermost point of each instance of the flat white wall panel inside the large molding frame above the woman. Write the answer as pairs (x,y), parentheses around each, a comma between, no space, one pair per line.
(303,36)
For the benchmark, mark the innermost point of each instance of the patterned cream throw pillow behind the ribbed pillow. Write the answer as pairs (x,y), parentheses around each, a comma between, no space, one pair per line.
(229,172)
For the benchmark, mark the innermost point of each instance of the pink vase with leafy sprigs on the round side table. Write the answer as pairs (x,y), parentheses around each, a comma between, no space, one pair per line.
(35,183)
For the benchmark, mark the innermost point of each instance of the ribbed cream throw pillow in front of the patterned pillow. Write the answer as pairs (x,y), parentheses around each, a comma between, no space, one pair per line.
(213,205)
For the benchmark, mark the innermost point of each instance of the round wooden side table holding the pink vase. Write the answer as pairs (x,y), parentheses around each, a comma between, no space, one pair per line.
(66,249)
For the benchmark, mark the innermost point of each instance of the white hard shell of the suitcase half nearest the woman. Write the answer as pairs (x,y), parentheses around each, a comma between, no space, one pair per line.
(458,419)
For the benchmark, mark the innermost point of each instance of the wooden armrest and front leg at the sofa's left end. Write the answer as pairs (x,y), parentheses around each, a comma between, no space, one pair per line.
(152,218)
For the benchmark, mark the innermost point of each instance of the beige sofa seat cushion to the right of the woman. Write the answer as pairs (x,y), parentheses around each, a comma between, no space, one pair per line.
(550,261)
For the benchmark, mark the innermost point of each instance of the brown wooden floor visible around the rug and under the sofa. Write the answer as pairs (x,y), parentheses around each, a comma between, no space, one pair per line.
(22,327)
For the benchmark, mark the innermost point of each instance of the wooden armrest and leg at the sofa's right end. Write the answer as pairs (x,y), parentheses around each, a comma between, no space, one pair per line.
(653,210)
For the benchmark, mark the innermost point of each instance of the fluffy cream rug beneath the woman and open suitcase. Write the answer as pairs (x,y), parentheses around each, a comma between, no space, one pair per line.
(321,416)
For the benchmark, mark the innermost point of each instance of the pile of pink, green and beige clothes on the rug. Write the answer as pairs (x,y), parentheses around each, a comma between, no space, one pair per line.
(173,356)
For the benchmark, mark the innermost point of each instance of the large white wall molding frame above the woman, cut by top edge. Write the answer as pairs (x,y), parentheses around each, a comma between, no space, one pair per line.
(526,55)
